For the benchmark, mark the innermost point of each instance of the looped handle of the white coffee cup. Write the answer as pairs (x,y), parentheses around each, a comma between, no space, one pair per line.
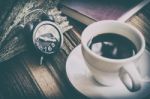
(130,77)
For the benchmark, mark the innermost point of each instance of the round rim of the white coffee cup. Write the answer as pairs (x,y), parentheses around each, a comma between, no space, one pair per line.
(137,55)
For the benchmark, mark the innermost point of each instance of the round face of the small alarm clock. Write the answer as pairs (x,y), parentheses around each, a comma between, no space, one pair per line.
(46,38)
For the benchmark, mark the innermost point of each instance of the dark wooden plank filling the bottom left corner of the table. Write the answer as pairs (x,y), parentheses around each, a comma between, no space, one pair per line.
(16,82)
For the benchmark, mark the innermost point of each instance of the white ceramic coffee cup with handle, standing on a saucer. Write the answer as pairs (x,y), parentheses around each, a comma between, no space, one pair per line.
(105,70)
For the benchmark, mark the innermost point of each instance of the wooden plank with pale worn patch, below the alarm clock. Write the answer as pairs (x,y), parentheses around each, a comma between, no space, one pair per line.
(42,76)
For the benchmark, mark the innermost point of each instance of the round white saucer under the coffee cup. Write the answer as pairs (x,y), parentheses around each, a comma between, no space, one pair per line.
(81,79)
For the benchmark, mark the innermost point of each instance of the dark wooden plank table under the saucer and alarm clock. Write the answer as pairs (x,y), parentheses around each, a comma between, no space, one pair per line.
(22,77)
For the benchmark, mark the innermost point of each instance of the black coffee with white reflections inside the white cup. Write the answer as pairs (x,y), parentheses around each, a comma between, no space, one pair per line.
(112,46)
